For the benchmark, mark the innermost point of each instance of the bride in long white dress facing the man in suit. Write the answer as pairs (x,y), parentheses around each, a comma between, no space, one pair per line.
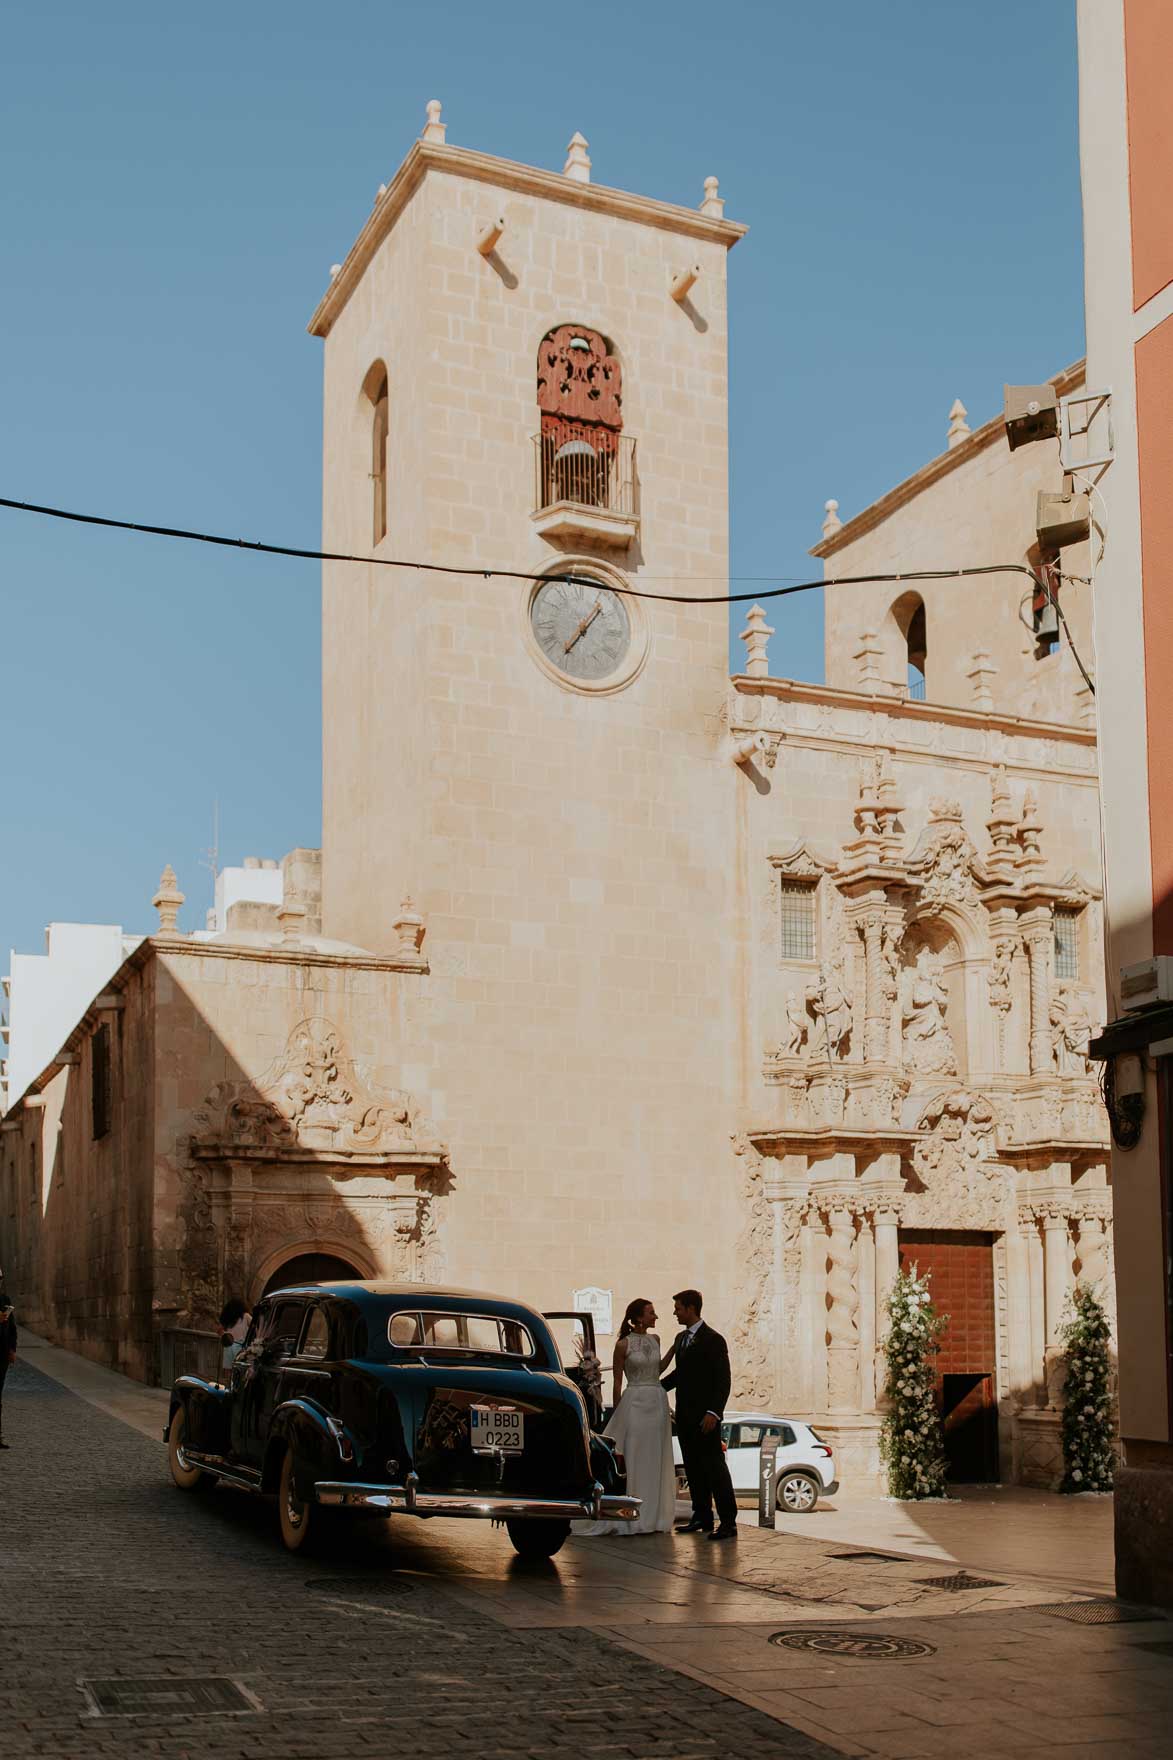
(640,1426)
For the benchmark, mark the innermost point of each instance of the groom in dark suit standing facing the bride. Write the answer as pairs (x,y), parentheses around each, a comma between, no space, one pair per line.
(702,1382)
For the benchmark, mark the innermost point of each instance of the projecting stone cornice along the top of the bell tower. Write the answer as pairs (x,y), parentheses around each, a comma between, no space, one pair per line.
(524,180)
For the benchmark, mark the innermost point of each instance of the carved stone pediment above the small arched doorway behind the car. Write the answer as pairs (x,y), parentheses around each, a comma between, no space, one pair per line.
(316,1104)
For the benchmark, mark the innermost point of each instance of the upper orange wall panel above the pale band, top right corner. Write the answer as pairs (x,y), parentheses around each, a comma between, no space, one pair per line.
(1149,50)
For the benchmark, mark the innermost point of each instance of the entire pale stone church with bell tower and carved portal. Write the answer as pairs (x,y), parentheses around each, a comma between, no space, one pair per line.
(619,974)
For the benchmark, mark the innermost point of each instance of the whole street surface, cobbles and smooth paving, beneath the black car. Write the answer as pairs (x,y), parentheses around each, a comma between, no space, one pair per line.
(135,1611)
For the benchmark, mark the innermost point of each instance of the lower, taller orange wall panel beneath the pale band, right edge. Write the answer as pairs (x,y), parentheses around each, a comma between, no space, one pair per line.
(1155,430)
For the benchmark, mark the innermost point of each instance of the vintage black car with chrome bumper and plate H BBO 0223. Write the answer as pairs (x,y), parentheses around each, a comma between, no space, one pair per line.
(401,1400)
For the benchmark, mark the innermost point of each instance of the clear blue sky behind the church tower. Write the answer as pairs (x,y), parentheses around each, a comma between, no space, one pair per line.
(177,184)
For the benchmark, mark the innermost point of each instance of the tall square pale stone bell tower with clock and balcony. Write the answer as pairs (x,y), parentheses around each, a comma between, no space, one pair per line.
(527,372)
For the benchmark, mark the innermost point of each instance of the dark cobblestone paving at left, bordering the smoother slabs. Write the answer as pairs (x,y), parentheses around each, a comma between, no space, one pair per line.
(112,1574)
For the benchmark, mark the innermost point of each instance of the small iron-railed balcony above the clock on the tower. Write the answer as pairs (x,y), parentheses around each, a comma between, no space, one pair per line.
(586,490)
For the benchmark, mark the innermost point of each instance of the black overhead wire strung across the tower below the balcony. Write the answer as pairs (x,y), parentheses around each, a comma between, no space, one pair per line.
(508,575)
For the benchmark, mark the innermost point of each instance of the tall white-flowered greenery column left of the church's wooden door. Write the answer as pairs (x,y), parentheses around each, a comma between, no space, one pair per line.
(911,1437)
